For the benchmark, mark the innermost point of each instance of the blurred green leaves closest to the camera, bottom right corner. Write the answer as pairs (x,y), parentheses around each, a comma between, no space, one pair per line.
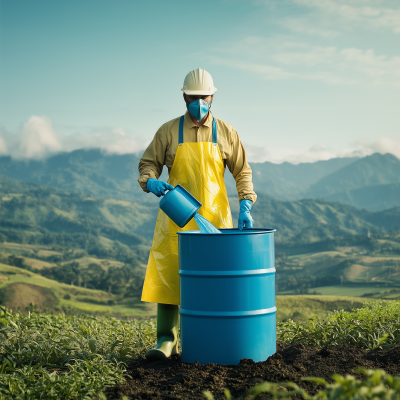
(377,386)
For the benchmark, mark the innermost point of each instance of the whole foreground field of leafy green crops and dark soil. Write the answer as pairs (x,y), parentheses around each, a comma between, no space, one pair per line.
(70,357)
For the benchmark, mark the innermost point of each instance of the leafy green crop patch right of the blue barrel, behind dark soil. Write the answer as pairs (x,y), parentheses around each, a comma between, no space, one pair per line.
(375,325)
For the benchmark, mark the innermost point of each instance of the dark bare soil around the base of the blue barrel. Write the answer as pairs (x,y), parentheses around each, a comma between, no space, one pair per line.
(173,379)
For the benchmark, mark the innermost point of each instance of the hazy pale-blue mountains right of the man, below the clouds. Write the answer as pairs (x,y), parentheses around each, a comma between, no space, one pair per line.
(372,182)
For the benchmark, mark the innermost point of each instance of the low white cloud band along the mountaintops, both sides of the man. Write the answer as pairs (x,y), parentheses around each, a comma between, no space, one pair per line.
(38,140)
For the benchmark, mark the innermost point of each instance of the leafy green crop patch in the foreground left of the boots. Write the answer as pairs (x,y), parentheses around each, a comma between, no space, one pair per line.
(66,357)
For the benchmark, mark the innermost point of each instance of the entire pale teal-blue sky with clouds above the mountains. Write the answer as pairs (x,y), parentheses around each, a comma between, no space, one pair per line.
(300,80)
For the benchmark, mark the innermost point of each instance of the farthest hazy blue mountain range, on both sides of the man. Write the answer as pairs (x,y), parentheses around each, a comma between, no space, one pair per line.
(372,182)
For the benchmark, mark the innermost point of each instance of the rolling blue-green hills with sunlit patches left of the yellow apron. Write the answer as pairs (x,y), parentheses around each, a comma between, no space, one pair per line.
(73,238)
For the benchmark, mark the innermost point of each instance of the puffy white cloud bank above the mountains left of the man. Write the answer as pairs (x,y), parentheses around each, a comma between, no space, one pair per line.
(38,140)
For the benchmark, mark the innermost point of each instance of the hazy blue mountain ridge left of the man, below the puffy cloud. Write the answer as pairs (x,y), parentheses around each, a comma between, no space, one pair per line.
(85,171)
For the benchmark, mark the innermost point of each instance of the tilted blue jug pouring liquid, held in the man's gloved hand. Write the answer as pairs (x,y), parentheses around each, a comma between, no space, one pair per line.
(180,205)
